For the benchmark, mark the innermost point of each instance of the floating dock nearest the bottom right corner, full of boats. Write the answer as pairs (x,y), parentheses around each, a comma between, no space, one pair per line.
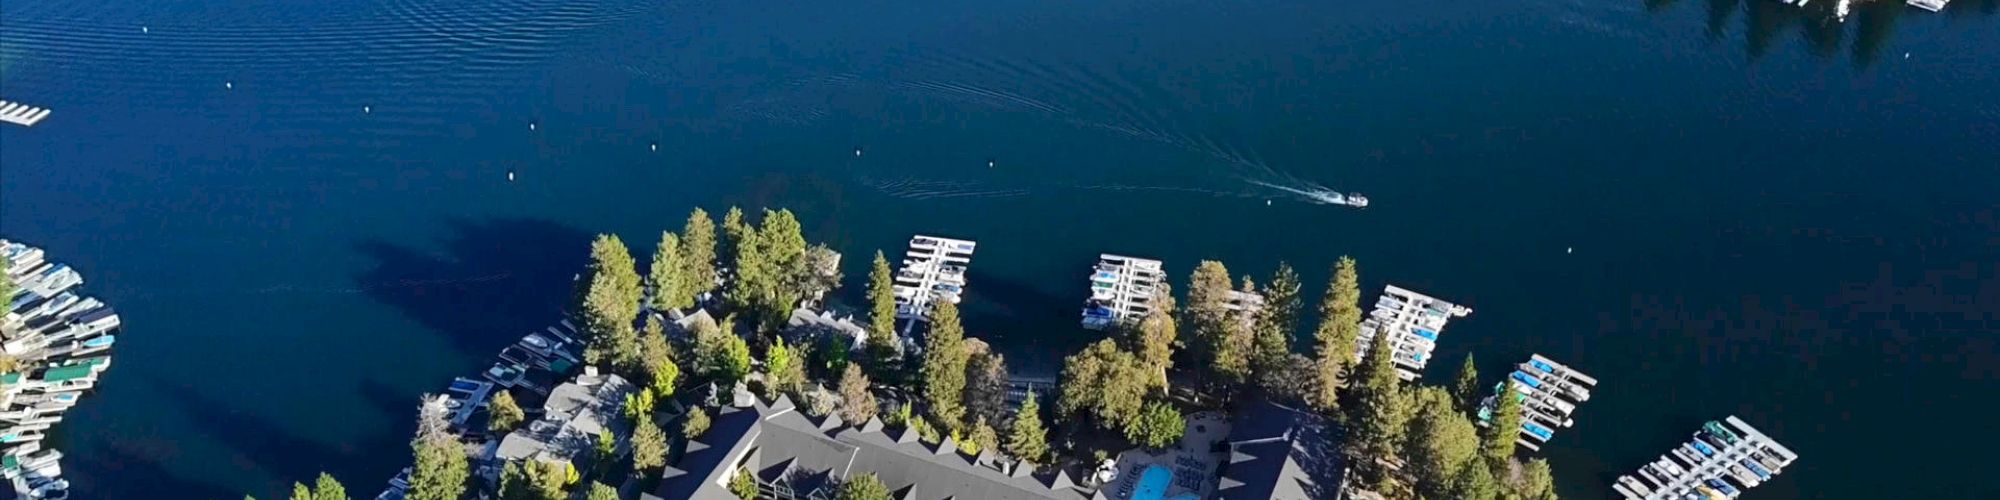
(1723,461)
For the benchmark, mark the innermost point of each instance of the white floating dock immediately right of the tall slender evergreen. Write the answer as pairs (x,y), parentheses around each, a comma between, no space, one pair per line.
(1411,323)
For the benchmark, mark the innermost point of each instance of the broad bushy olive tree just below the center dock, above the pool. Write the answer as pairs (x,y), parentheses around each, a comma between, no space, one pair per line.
(1103,383)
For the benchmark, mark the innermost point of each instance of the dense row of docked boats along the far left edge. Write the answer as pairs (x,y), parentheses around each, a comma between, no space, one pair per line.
(55,345)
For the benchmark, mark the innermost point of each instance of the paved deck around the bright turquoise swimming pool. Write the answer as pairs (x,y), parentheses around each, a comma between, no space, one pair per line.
(1193,461)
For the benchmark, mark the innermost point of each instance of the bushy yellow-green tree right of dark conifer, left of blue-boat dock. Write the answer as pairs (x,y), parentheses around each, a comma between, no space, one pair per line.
(1443,441)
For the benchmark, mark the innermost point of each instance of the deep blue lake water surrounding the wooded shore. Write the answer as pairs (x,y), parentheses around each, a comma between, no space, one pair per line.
(1771,217)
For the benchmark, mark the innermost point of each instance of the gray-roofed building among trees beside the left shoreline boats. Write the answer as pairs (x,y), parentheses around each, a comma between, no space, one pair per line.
(573,417)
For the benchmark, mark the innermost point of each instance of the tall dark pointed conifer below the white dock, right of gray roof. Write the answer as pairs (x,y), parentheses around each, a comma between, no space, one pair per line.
(1379,417)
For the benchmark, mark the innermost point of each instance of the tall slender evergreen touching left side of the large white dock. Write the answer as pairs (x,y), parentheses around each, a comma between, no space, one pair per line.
(1341,321)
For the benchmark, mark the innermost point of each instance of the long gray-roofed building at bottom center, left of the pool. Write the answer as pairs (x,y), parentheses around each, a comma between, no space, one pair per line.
(801,457)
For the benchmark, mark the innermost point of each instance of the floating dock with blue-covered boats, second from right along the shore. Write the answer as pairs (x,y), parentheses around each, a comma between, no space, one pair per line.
(1549,393)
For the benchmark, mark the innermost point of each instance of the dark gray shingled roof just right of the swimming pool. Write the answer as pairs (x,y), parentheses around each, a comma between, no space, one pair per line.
(1281,453)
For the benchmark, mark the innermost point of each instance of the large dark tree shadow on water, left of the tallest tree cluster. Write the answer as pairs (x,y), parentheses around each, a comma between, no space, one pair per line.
(493,283)
